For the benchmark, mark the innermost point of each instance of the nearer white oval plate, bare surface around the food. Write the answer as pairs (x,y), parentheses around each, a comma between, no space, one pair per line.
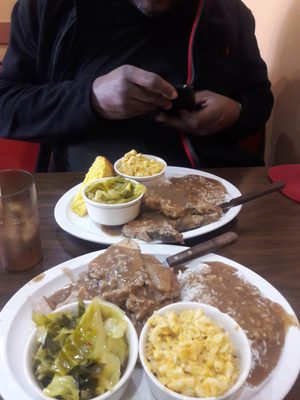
(16,327)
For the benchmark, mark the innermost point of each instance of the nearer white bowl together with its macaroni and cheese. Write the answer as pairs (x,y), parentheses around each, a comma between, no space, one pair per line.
(192,351)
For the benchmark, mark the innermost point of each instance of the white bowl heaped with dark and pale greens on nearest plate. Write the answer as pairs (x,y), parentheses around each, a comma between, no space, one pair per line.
(98,357)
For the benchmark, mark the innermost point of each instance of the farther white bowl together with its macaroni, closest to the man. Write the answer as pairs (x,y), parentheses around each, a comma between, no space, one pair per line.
(143,168)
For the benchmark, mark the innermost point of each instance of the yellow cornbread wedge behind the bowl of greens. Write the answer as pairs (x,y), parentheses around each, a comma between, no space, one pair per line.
(100,168)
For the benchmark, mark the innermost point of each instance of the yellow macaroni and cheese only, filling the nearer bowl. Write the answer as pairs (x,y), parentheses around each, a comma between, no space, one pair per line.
(190,354)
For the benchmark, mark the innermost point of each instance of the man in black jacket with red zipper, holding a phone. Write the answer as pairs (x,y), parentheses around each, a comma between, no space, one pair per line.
(92,77)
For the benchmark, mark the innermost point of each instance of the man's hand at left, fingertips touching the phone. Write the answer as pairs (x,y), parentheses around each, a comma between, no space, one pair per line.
(129,91)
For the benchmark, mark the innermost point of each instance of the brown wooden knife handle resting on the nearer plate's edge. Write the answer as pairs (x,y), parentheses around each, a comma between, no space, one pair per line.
(201,249)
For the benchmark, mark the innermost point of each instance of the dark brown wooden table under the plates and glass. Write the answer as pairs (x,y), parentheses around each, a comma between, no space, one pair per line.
(269,230)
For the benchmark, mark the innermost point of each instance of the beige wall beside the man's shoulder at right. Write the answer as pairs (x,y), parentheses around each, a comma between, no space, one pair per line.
(278,34)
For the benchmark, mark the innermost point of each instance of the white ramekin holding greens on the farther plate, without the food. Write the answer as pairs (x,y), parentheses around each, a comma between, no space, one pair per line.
(112,214)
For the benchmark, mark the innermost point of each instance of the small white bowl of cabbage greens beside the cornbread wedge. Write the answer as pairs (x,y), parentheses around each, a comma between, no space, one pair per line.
(113,201)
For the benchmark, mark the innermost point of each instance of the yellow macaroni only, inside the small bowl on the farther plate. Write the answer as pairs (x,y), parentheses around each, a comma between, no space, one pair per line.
(136,164)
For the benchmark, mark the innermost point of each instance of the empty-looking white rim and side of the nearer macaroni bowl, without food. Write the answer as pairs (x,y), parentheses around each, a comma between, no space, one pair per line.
(236,334)
